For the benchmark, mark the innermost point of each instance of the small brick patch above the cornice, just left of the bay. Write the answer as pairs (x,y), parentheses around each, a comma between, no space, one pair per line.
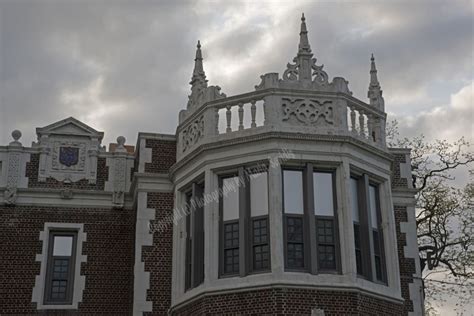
(163,155)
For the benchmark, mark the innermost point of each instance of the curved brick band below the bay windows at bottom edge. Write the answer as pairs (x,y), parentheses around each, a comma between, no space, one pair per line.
(290,301)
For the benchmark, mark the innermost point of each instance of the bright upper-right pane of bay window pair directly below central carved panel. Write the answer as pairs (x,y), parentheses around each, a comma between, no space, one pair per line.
(323,194)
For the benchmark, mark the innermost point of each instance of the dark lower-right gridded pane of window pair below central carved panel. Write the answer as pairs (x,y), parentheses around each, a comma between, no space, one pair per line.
(326,244)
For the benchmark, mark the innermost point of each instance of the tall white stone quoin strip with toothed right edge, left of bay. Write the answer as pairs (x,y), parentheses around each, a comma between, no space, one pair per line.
(143,237)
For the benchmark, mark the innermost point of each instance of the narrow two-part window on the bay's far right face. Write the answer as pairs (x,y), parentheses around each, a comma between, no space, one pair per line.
(368,236)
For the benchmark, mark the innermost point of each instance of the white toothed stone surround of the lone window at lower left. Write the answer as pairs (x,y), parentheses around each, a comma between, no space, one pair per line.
(79,280)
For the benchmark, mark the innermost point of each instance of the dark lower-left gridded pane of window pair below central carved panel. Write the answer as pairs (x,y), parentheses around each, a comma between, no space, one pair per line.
(295,246)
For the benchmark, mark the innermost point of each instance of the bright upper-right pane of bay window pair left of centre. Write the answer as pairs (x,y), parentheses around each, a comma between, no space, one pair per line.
(258,194)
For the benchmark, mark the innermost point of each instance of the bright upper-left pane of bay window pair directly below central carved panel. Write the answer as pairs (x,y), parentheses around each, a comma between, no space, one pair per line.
(293,191)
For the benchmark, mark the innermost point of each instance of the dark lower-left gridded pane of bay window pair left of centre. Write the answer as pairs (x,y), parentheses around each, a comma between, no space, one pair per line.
(231,248)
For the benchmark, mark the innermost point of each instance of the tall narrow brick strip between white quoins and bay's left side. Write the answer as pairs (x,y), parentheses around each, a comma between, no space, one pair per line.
(158,258)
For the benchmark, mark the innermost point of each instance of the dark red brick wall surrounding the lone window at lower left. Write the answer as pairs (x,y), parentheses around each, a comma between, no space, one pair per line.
(108,270)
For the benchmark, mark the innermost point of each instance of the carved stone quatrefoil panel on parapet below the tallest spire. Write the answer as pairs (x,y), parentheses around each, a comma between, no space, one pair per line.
(308,111)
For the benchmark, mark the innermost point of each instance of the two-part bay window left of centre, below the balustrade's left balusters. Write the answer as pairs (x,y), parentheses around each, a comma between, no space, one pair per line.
(245,246)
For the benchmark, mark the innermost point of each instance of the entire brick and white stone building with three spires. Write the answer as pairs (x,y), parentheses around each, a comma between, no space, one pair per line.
(284,200)
